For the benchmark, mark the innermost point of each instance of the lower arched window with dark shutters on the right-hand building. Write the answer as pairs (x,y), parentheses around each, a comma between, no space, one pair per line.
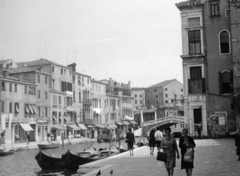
(226,81)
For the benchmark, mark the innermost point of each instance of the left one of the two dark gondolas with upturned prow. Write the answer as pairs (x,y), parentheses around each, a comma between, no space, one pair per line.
(49,162)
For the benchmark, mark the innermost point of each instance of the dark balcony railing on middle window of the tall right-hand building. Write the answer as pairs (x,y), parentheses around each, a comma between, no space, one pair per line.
(196,86)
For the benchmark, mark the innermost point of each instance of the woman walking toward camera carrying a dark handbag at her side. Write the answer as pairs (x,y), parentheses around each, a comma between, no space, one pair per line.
(169,146)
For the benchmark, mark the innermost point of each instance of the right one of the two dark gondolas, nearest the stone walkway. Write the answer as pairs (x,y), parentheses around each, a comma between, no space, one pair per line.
(73,161)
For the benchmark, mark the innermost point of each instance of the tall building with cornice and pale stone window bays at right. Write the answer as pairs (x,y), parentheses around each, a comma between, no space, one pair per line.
(210,30)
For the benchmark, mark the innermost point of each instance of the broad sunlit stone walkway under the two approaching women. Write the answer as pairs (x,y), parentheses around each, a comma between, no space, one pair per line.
(213,157)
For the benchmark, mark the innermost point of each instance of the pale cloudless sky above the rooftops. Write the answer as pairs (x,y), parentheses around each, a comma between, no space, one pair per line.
(126,40)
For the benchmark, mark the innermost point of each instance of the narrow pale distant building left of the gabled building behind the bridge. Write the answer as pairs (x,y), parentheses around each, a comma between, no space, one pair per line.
(139,98)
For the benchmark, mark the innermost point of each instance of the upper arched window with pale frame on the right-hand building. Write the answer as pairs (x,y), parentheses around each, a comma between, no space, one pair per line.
(224,42)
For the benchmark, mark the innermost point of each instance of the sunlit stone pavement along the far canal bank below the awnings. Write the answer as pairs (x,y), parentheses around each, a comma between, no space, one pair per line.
(33,145)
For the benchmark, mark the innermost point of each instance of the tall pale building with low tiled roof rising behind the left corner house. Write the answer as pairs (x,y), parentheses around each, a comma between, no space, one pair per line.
(62,111)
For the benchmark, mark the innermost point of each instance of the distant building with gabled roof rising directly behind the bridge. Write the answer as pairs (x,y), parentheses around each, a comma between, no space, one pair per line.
(164,93)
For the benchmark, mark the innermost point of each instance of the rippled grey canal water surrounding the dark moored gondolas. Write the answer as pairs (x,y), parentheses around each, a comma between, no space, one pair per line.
(23,163)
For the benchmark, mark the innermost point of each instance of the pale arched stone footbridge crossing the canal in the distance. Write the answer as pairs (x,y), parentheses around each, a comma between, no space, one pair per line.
(162,123)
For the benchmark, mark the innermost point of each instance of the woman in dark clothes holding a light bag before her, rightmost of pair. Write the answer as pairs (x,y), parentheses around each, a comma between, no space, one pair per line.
(187,144)
